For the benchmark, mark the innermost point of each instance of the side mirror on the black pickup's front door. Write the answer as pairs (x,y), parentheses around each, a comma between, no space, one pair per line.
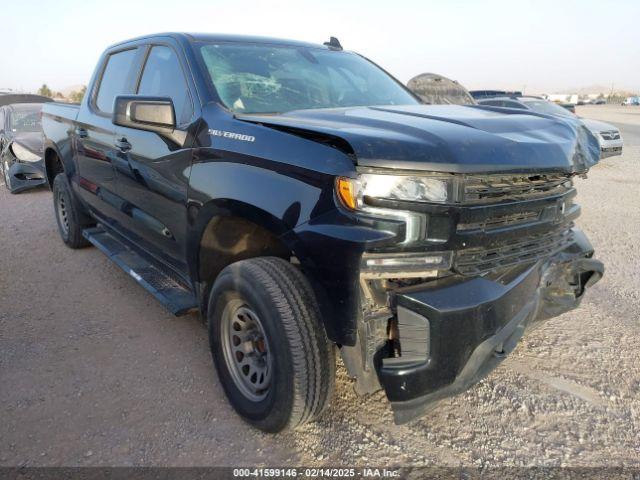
(154,114)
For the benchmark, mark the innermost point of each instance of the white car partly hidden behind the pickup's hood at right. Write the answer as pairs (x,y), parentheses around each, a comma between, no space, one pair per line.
(608,135)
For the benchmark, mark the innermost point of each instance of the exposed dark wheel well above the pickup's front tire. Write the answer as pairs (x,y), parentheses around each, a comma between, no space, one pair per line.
(229,239)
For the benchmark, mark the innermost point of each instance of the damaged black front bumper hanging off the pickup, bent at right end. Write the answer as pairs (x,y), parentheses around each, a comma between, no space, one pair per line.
(456,330)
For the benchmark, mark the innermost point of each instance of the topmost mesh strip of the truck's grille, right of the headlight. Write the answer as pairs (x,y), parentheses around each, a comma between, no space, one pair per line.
(495,188)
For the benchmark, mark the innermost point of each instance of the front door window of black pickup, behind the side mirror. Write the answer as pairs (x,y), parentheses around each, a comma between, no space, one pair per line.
(163,77)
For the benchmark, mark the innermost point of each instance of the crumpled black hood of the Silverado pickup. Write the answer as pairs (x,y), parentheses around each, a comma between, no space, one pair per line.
(448,138)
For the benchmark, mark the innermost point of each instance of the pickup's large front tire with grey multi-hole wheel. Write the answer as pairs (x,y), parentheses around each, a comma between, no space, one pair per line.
(272,355)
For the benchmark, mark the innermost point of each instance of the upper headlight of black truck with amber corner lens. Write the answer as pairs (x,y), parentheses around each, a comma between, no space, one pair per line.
(411,188)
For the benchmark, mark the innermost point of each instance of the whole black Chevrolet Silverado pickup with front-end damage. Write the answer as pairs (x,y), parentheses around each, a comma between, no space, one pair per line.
(307,203)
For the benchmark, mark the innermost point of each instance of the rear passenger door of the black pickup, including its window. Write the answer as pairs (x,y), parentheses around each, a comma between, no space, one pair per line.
(95,132)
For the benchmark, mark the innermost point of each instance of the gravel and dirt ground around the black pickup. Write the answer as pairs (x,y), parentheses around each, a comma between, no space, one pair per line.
(94,372)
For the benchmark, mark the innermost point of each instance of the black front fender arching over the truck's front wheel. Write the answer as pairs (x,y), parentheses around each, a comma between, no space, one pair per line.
(279,181)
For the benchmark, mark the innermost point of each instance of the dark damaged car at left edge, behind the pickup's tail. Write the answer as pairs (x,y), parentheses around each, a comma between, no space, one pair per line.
(21,146)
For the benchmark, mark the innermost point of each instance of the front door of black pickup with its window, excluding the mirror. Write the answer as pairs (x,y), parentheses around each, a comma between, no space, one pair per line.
(154,179)
